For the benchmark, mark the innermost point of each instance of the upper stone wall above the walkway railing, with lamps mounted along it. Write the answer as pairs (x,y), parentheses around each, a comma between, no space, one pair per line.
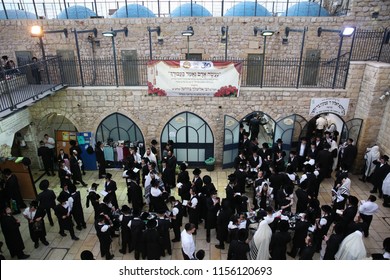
(15,34)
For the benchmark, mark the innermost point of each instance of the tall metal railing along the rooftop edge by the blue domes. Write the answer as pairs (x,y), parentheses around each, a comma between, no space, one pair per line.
(161,8)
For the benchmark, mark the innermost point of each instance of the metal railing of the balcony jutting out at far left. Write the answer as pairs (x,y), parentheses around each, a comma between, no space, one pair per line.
(27,82)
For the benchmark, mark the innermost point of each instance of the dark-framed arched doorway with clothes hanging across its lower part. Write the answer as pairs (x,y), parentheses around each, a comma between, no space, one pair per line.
(117,127)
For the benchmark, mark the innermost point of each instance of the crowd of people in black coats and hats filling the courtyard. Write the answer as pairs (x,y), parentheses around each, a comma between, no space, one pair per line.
(270,202)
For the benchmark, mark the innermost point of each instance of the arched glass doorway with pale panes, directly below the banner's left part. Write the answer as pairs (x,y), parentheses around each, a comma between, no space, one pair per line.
(192,137)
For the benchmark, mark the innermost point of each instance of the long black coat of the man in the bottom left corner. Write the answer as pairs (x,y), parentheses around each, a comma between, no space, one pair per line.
(12,236)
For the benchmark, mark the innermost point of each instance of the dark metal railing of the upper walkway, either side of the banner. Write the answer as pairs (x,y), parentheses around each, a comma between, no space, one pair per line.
(277,72)
